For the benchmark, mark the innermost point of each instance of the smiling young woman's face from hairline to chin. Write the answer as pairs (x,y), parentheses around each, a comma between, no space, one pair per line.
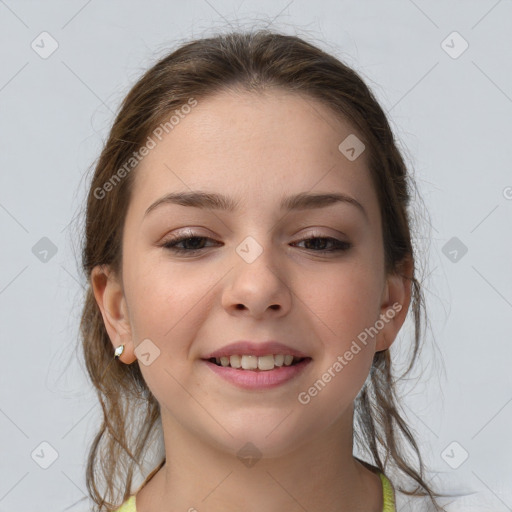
(310,278)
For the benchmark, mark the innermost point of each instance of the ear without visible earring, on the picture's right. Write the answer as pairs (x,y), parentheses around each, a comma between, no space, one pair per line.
(396,298)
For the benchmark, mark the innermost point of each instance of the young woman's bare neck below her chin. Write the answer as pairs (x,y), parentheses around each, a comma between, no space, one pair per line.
(321,475)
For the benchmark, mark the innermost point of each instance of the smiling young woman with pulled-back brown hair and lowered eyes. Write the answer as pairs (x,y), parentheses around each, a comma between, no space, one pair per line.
(248,246)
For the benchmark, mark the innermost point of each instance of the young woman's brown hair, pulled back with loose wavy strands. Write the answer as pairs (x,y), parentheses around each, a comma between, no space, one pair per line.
(252,61)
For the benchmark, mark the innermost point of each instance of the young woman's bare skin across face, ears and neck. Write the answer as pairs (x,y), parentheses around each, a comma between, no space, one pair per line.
(256,148)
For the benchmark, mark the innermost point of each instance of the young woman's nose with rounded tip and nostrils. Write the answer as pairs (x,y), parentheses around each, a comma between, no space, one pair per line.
(257,288)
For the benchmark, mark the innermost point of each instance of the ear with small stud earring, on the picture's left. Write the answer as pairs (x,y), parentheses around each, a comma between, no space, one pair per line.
(109,295)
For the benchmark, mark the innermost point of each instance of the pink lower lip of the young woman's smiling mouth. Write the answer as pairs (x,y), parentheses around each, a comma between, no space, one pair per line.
(259,379)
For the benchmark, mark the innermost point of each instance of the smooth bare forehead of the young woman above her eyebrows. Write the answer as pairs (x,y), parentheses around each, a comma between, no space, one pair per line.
(255,147)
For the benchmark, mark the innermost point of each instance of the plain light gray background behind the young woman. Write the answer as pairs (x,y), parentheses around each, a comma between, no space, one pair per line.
(452,114)
